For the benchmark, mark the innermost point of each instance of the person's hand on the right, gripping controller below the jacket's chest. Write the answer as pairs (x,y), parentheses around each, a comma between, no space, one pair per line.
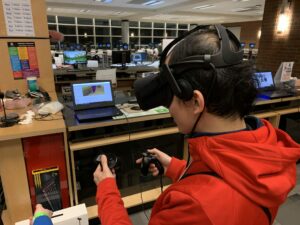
(162,157)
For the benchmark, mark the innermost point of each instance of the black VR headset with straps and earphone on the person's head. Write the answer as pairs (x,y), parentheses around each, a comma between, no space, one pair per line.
(158,89)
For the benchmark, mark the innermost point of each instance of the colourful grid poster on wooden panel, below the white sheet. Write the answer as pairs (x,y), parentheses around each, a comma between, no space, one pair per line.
(23,59)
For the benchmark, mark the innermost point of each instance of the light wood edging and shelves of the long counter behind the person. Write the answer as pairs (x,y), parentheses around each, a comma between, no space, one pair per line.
(150,195)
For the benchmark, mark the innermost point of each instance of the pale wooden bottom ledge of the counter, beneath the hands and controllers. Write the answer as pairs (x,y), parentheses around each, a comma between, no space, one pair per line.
(130,201)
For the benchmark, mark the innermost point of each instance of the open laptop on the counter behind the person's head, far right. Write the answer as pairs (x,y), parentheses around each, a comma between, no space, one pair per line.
(266,87)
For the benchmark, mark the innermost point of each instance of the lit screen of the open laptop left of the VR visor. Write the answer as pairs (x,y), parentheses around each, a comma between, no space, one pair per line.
(87,95)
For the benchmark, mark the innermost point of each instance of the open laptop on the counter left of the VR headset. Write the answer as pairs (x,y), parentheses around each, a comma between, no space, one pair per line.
(94,100)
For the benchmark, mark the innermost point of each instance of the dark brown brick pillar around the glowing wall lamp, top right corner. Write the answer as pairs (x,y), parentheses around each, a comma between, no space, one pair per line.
(276,48)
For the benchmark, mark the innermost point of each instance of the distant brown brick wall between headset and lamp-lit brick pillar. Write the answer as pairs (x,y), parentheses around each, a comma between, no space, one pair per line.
(249,31)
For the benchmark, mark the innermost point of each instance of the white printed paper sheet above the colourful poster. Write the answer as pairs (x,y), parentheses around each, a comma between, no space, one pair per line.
(18,17)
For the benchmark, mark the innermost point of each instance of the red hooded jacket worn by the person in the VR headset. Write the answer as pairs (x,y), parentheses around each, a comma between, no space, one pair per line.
(255,169)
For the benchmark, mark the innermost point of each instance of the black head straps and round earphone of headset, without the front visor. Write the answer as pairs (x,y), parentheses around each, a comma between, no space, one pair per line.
(225,57)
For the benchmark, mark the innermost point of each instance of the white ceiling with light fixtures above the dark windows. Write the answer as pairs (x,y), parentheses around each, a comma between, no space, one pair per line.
(180,11)
